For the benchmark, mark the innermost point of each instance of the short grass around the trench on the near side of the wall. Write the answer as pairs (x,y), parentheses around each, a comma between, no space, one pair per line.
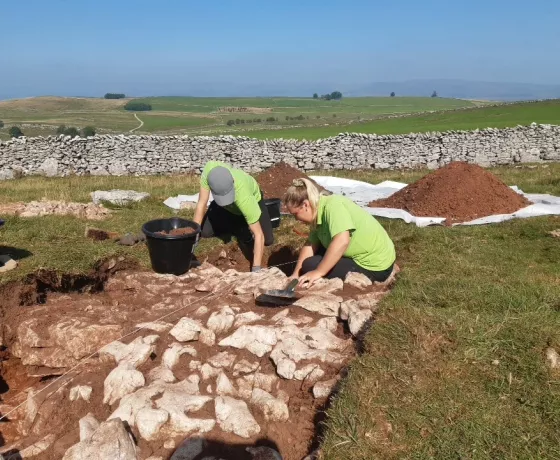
(454,365)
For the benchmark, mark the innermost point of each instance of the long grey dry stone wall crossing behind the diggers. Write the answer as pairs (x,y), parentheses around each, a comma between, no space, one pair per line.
(145,155)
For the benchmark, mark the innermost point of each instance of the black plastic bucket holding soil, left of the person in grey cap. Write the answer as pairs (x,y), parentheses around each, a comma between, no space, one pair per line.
(170,253)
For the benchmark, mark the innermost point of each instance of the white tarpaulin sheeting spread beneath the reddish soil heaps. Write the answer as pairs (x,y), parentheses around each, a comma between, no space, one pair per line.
(363,193)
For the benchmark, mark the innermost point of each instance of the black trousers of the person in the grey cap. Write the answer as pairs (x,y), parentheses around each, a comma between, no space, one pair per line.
(221,223)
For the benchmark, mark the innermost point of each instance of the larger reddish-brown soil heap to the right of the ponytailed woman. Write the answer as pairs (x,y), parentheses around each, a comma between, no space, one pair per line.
(460,192)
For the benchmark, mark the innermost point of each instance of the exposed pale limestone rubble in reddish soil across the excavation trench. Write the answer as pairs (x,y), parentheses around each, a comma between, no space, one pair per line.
(243,360)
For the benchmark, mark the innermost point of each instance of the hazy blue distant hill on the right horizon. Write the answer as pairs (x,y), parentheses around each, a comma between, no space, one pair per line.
(463,89)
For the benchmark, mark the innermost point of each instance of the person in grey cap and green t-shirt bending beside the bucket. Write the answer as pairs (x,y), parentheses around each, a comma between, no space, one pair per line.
(237,210)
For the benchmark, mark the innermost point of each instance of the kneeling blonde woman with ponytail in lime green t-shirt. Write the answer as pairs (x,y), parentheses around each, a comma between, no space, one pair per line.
(343,238)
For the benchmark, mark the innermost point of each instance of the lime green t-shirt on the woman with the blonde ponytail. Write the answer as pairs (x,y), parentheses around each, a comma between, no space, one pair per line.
(370,246)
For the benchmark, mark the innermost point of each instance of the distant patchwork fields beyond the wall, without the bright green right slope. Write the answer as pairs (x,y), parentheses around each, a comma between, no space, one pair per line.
(187,115)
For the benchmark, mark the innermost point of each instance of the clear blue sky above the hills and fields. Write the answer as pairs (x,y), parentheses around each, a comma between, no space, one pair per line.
(246,47)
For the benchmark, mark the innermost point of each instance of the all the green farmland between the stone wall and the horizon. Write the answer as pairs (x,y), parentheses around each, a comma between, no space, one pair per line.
(297,118)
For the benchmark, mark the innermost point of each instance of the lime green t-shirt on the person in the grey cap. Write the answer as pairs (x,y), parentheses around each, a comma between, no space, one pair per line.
(247,192)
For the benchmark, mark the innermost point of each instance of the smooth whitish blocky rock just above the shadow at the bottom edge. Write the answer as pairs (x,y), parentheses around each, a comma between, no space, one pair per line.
(233,416)
